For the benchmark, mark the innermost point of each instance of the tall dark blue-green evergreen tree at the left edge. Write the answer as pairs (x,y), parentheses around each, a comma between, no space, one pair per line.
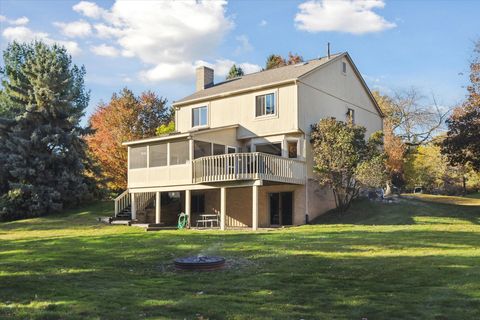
(43,161)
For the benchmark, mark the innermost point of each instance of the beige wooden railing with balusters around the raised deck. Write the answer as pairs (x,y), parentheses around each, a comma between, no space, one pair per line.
(248,166)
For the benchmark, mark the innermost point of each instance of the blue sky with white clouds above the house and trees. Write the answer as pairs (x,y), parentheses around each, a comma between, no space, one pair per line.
(155,45)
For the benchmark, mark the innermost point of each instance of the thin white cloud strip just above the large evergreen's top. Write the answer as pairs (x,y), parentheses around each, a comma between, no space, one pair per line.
(24,34)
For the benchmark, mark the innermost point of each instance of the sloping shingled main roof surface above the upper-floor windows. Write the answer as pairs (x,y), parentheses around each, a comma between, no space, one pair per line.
(261,78)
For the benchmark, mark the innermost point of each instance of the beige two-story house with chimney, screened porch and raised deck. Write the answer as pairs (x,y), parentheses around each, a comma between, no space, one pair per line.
(241,151)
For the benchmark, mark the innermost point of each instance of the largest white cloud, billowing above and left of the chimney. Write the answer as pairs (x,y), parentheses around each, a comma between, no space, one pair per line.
(168,36)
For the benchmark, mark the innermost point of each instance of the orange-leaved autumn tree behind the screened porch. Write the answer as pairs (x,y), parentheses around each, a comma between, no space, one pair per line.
(126,117)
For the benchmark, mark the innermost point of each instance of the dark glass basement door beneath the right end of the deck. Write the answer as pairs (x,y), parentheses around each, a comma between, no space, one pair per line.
(281,208)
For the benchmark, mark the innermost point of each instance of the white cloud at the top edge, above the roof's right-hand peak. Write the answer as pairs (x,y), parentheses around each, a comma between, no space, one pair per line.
(350,16)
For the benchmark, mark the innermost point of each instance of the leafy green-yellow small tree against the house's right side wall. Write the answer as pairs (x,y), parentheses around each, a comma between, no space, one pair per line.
(345,161)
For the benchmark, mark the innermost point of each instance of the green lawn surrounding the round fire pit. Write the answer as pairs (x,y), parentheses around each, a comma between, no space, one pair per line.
(409,260)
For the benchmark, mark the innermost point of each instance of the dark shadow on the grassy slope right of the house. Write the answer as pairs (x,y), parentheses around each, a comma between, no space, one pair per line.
(404,212)
